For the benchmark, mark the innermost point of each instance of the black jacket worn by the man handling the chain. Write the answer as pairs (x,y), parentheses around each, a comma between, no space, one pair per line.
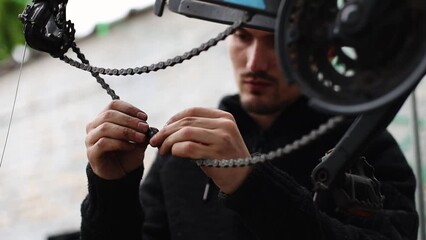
(275,202)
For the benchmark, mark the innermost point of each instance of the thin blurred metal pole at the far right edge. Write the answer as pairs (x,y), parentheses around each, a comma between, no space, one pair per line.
(417,155)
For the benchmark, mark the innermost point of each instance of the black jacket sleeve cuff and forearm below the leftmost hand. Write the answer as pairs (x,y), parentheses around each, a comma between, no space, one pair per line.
(112,210)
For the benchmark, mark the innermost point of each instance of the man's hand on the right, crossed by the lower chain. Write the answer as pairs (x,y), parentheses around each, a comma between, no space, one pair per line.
(202,133)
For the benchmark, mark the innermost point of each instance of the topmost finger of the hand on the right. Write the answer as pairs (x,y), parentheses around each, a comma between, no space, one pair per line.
(200,112)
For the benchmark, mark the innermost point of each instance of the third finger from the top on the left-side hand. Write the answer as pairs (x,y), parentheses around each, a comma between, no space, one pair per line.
(114,131)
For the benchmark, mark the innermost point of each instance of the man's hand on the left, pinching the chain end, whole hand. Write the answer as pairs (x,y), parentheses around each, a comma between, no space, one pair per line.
(116,140)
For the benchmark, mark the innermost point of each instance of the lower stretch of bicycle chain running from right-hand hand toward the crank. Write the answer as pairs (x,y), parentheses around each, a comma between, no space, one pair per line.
(287,149)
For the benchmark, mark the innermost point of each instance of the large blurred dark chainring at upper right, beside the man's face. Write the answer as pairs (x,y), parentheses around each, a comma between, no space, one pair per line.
(352,56)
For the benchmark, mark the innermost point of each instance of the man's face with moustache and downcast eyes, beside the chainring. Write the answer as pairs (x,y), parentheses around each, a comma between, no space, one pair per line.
(263,89)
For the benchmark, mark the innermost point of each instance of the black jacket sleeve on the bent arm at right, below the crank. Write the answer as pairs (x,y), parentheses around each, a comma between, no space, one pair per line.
(272,204)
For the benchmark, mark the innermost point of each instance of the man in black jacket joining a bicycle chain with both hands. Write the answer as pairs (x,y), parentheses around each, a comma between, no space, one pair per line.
(271,200)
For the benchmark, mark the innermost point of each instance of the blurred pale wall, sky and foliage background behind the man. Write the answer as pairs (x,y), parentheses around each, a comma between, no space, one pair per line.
(42,176)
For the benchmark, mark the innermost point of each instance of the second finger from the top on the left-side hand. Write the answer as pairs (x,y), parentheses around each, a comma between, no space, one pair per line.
(118,118)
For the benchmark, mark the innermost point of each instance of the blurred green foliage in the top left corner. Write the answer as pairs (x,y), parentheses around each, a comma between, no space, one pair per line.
(11,28)
